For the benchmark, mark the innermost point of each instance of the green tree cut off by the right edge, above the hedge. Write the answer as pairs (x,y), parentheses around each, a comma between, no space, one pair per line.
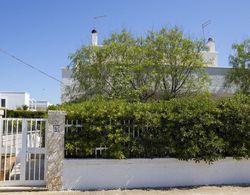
(239,76)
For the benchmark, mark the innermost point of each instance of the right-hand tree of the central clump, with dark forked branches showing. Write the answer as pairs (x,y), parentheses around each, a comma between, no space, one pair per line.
(181,66)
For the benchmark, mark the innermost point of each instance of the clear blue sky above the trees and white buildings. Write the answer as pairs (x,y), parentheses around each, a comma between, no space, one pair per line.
(44,32)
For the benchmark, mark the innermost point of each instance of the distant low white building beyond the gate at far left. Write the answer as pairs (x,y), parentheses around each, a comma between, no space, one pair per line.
(14,100)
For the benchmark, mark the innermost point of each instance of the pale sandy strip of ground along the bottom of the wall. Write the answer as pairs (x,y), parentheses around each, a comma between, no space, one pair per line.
(213,190)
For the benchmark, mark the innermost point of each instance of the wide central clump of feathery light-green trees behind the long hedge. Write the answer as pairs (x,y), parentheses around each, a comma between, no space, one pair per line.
(162,64)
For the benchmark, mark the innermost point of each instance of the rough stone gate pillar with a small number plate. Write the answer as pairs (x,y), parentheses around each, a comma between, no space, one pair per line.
(55,149)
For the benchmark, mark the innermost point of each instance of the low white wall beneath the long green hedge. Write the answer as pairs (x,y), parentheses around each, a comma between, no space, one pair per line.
(151,173)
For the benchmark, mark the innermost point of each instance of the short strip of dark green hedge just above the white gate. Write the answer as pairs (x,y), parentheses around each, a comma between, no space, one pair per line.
(26,114)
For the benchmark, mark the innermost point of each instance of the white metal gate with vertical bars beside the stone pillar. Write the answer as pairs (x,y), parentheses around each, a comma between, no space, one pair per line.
(22,152)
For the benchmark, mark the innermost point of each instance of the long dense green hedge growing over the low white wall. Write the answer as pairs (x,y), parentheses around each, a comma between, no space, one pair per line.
(197,128)
